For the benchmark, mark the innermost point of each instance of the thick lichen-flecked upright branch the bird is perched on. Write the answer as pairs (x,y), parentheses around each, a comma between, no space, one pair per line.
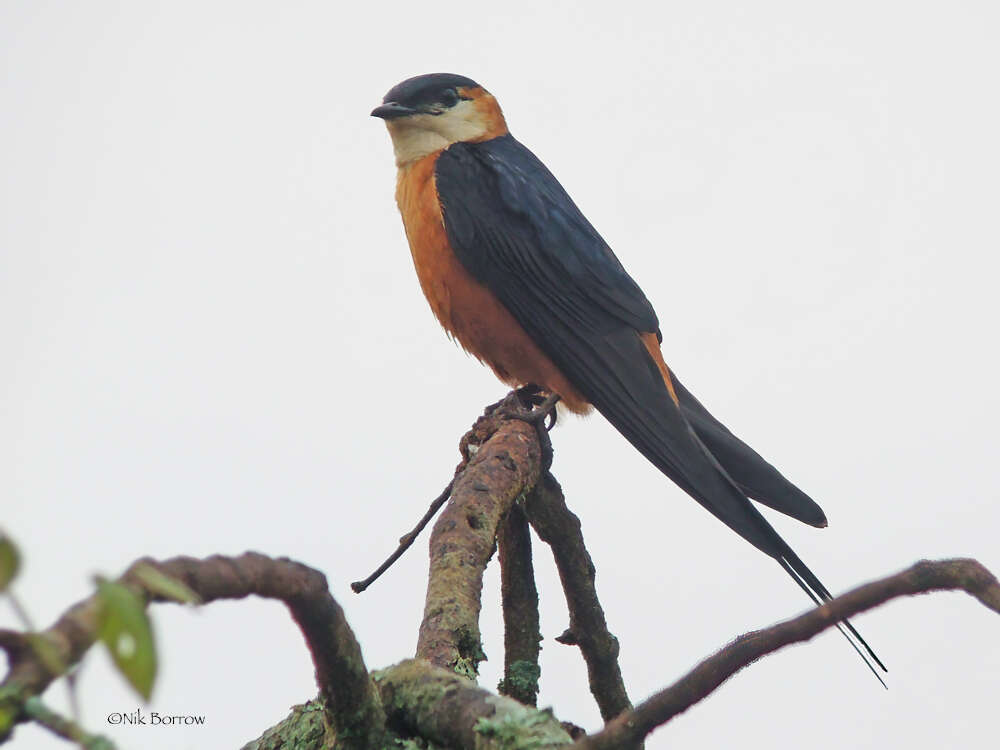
(505,463)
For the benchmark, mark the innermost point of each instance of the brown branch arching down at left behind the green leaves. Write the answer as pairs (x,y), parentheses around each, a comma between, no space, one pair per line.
(352,703)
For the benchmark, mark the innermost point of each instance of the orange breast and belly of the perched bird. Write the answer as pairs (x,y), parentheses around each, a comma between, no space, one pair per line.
(466,308)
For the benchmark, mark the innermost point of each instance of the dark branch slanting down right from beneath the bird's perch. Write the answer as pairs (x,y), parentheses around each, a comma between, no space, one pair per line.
(560,529)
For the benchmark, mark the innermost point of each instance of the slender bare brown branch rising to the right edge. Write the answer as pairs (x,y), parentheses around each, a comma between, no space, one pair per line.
(924,577)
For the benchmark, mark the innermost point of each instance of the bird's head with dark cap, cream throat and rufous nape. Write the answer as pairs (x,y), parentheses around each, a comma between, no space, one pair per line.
(430,112)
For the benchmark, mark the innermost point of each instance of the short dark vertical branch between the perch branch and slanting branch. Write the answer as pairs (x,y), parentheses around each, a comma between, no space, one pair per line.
(519,597)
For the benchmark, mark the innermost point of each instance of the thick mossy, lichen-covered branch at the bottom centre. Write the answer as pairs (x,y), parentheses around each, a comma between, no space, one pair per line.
(446,709)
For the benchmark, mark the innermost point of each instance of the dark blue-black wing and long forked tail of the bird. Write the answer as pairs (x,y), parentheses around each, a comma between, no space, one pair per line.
(516,231)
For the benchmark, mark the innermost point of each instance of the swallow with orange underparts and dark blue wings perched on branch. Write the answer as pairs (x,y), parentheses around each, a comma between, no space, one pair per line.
(514,272)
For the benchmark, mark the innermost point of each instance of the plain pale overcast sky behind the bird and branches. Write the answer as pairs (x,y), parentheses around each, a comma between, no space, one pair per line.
(213,339)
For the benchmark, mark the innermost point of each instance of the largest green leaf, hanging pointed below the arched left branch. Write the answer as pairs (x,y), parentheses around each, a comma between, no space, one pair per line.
(125,629)
